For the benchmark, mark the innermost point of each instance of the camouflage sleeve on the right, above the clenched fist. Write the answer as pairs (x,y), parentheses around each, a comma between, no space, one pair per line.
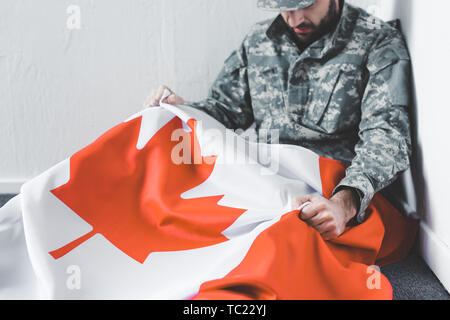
(384,148)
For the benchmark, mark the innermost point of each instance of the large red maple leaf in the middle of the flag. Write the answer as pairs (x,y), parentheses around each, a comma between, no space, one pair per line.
(132,197)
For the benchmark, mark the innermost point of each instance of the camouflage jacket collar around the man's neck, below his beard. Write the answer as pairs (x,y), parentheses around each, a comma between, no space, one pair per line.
(331,42)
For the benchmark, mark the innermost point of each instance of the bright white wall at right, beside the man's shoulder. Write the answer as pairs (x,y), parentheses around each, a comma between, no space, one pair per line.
(425,26)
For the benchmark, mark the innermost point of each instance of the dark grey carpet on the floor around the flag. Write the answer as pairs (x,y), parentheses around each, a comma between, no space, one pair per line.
(411,278)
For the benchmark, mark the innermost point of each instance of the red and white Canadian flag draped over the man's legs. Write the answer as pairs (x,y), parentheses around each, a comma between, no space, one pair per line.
(171,205)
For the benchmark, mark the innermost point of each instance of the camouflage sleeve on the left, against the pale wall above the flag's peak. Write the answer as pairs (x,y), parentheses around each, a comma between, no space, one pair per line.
(229,99)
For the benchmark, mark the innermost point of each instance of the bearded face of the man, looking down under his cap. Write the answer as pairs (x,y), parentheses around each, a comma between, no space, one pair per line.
(311,23)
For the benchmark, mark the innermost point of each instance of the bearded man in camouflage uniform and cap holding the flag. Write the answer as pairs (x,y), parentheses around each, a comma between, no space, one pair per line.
(331,78)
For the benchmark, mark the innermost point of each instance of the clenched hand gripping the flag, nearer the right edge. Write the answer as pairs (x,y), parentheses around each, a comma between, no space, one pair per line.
(328,217)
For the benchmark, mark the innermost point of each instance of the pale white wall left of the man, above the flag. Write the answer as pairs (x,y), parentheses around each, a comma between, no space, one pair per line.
(60,89)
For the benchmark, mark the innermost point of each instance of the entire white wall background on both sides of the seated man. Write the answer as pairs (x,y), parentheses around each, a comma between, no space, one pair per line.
(60,88)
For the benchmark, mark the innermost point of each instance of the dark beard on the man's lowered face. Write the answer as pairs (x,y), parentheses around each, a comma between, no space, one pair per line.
(327,24)
